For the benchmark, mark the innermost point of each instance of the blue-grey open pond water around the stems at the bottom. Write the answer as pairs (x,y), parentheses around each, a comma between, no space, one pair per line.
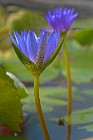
(32,129)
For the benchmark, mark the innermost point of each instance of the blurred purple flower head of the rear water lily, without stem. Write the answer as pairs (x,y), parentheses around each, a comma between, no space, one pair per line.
(61,19)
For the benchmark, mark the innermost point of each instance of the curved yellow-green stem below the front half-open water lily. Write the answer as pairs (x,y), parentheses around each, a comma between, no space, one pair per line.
(38,108)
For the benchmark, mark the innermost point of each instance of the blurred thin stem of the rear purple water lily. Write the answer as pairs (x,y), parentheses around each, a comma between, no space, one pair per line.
(68,78)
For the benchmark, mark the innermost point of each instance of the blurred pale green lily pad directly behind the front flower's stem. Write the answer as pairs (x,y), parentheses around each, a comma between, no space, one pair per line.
(48,97)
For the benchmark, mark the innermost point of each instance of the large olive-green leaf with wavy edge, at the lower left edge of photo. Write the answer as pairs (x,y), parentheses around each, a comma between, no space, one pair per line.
(10,105)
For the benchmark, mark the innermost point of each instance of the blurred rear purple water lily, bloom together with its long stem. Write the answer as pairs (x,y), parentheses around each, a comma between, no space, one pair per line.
(62,19)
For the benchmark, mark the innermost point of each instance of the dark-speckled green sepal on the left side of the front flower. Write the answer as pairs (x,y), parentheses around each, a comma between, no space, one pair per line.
(27,63)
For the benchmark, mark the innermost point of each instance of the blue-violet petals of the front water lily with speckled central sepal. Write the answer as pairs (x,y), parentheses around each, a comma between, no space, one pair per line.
(38,49)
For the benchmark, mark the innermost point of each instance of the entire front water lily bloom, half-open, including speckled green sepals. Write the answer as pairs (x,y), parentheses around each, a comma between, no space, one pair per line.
(36,52)
